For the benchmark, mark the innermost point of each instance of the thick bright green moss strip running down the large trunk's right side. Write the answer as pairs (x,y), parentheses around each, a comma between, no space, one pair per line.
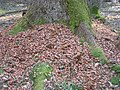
(78,12)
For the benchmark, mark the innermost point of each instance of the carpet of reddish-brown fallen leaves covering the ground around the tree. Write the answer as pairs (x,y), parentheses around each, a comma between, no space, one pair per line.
(70,58)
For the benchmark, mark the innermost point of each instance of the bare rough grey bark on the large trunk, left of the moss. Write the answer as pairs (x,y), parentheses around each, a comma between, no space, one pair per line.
(48,10)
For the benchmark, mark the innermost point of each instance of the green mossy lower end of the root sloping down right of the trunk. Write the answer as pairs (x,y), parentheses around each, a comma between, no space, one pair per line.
(99,53)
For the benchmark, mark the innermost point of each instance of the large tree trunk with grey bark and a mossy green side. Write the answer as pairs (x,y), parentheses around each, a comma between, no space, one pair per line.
(73,13)
